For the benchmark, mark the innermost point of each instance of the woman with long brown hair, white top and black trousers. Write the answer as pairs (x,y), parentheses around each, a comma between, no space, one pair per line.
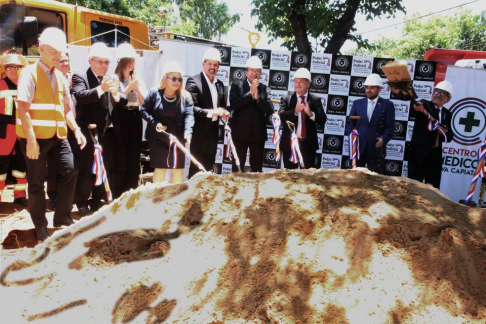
(129,116)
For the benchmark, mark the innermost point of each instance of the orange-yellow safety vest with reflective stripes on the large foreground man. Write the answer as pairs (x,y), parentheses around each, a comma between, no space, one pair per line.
(46,109)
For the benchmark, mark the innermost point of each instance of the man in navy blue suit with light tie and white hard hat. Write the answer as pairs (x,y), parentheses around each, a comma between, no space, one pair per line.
(376,125)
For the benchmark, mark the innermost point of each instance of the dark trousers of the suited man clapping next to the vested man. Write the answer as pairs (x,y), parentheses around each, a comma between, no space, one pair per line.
(85,184)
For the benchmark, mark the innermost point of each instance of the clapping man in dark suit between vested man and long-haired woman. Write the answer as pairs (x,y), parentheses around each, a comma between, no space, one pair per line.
(96,96)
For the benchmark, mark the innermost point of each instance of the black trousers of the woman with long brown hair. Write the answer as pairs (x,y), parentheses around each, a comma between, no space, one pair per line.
(131,146)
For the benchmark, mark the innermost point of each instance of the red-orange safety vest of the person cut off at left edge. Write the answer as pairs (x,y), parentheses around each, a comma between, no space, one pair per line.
(6,108)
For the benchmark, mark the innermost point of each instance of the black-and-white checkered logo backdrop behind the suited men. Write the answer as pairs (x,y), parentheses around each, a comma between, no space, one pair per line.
(338,80)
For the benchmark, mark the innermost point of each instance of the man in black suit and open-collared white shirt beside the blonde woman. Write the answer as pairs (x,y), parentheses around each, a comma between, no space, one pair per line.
(209,104)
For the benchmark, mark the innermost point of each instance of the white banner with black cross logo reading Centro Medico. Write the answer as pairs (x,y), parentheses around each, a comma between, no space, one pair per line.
(468,107)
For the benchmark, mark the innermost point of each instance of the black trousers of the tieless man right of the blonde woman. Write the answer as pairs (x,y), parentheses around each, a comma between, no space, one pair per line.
(203,150)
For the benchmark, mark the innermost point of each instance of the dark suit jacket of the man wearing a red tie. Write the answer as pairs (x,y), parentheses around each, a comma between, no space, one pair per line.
(287,113)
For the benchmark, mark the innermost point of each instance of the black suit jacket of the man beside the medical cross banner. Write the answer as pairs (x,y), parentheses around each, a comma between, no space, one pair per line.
(423,139)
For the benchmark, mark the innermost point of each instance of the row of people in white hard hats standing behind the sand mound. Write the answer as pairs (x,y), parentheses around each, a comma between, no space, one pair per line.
(48,113)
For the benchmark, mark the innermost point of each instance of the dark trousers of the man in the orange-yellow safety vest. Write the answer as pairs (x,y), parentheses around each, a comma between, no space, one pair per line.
(61,155)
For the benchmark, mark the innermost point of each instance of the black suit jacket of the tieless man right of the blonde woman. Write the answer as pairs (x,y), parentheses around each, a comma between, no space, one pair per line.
(198,87)
